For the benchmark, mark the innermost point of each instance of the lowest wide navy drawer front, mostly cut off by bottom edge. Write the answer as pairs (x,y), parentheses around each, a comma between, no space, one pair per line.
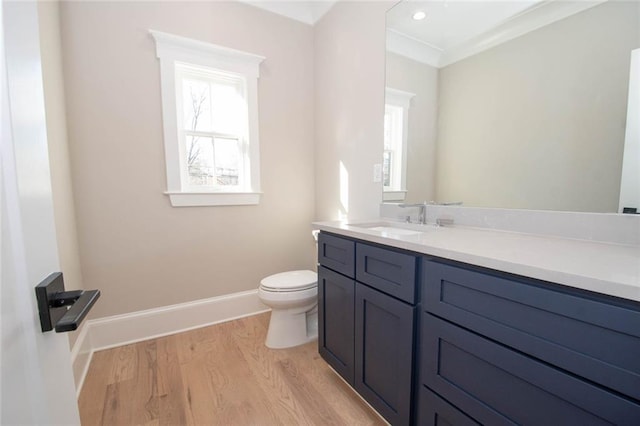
(435,411)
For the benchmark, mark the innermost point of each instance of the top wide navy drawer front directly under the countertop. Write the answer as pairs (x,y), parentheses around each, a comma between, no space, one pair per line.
(591,338)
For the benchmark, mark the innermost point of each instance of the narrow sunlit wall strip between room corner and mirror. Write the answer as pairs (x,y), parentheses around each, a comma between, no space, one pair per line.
(349,102)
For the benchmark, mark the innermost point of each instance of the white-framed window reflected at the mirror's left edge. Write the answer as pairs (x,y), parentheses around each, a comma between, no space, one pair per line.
(396,127)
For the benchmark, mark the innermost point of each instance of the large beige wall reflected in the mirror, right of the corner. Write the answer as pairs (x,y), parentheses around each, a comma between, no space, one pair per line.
(570,156)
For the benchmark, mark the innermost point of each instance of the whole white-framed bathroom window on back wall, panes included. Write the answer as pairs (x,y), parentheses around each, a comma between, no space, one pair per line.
(210,117)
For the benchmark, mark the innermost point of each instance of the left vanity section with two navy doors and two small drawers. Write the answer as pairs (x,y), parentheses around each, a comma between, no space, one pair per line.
(367,316)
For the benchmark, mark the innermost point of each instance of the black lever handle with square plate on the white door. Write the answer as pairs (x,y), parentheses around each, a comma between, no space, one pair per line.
(59,309)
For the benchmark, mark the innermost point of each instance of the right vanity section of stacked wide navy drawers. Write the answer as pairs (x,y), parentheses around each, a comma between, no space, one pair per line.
(502,349)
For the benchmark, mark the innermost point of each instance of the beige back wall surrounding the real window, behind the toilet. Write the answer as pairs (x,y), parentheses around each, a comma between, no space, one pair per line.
(137,249)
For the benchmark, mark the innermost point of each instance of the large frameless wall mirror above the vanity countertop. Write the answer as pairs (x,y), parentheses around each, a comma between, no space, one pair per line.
(514,104)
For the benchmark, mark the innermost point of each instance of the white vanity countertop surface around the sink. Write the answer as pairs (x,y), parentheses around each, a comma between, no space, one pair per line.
(612,269)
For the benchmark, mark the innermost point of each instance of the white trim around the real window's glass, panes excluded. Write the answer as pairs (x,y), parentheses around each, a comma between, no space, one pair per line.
(171,49)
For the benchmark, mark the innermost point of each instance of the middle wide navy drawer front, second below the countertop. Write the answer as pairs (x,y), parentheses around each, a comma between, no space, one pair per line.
(498,386)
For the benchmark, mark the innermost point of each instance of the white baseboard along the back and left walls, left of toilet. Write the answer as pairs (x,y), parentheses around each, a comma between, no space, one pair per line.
(118,330)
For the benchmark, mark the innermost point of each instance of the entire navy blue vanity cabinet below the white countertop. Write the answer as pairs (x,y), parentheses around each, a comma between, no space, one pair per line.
(437,342)
